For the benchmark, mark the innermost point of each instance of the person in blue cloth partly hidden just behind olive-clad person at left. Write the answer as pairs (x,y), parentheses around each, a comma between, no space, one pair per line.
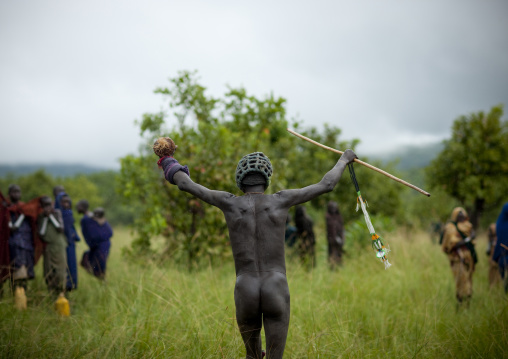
(63,203)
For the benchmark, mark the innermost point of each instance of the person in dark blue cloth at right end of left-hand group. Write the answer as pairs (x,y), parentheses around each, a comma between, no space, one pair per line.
(97,233)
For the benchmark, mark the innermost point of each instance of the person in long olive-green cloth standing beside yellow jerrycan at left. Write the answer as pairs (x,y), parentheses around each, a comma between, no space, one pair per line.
(51,229)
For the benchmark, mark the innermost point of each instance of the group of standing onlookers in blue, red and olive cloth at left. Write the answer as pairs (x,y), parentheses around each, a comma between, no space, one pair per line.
(45,227)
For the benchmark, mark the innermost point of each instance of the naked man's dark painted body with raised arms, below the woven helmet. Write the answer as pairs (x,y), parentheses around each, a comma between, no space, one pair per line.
(256,224)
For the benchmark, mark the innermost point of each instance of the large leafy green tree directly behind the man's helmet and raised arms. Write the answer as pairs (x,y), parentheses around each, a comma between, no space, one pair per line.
(223,130)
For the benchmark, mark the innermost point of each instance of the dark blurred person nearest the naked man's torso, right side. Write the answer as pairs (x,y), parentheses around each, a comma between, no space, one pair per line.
(305,237)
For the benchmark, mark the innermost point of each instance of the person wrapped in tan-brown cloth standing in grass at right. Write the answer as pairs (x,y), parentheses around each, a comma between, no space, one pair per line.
(458,244)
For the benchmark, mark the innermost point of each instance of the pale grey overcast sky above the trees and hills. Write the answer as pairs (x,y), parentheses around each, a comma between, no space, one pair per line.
(75,75)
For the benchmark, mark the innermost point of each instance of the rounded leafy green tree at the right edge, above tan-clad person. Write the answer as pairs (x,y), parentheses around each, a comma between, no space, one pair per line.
(472,168)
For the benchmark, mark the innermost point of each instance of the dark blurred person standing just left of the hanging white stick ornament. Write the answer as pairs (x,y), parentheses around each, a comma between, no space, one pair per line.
(334,234)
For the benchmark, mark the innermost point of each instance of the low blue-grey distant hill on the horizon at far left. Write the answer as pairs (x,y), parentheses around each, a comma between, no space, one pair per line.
(54,169)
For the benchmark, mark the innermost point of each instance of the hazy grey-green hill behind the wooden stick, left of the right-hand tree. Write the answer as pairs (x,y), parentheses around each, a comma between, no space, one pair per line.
(411,157)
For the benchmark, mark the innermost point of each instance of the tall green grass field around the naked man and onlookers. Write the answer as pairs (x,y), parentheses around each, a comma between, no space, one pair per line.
(359,311)
